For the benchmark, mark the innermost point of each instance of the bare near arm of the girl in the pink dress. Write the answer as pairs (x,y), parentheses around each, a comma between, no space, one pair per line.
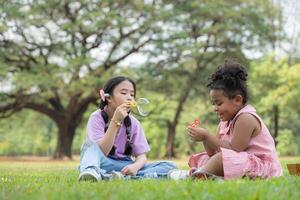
(245,127)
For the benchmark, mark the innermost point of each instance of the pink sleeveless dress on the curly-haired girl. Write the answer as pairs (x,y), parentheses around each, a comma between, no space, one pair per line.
(258,160)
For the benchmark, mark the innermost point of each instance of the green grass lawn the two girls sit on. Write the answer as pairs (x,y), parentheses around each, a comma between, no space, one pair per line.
(58,180)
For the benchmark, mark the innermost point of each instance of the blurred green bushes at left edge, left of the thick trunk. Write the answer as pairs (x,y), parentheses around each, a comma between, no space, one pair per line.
(27,134)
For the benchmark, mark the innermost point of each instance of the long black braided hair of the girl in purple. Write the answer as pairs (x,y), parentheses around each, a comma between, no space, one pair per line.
(109,88)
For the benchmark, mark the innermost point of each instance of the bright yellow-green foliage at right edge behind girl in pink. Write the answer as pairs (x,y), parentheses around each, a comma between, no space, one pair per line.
(280,79)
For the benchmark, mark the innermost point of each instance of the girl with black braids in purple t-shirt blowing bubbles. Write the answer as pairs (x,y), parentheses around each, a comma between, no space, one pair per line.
(114,137)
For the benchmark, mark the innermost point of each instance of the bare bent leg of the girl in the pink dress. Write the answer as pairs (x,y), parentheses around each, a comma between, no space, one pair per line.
(214,165)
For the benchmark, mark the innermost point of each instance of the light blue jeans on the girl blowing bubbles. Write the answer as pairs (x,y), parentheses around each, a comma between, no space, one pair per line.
(92,157)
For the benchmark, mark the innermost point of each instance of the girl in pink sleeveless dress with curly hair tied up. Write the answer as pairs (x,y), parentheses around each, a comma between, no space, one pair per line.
(244,145)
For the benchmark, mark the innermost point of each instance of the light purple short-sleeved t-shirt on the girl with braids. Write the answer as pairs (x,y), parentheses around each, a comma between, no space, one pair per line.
(138,141)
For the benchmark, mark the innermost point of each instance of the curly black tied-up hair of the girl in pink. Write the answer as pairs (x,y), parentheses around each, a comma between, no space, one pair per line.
(230,77)
